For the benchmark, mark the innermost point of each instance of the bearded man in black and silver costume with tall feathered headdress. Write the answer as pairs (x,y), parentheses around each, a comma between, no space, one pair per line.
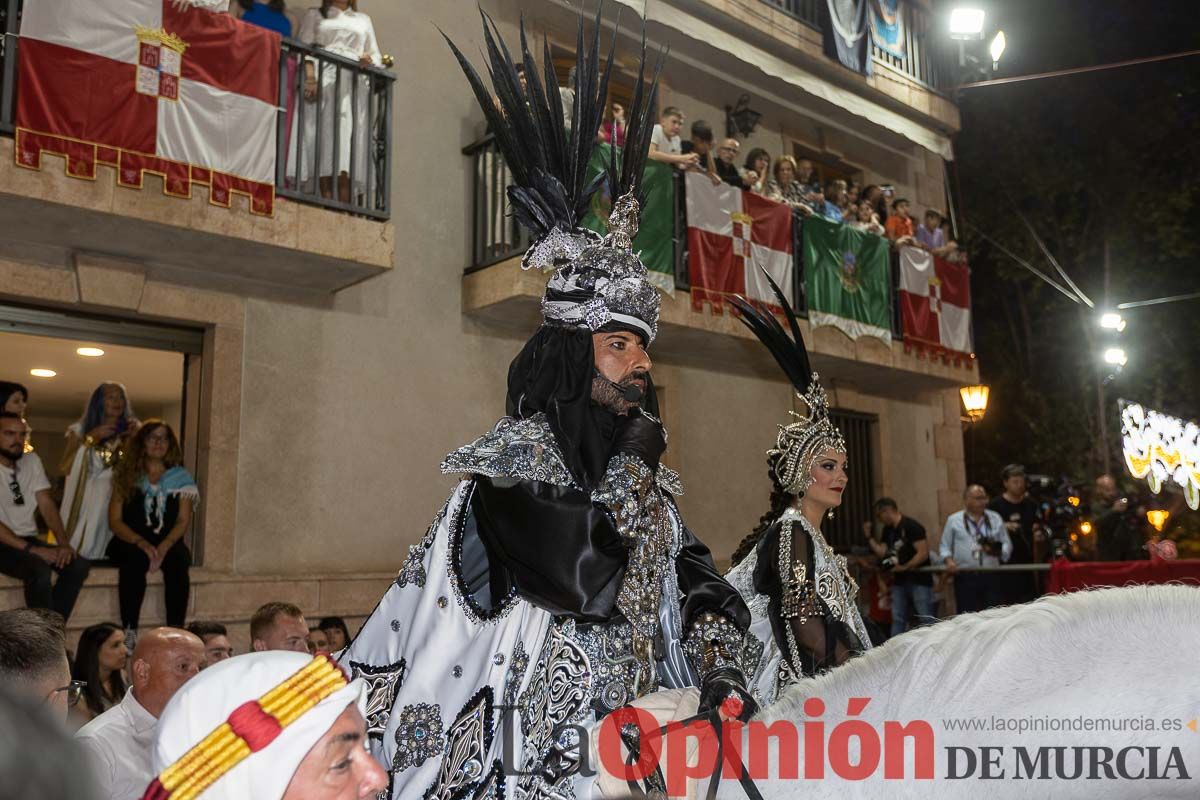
(559,580)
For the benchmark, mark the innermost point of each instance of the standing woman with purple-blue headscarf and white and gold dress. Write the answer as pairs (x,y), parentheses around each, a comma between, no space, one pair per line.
(93,447)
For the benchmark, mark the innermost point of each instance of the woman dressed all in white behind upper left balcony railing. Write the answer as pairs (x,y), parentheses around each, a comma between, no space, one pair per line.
(340,28)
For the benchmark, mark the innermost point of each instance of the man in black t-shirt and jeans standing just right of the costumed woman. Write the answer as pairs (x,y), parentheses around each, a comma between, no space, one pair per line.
(904,549)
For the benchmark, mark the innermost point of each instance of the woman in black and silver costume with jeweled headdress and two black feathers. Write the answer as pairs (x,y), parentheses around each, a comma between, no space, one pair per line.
(801,596)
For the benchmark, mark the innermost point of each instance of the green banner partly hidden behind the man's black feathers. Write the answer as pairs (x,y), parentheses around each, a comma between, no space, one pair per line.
(655,243)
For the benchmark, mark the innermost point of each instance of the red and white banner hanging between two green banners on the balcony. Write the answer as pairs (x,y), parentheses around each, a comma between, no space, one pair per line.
(731,234)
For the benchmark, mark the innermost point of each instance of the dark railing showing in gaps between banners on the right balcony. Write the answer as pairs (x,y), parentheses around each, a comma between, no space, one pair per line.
(496,236)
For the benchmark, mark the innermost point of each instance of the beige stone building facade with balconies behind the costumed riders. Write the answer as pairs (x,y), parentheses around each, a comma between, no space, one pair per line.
(329,360)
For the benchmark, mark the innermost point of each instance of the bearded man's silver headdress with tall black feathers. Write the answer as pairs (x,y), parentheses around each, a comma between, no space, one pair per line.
(597,281)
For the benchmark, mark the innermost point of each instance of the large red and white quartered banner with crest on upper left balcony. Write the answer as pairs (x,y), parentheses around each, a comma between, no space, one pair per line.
(143,87)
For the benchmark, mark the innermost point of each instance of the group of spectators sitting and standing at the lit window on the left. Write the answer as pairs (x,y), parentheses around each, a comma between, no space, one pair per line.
(127,501)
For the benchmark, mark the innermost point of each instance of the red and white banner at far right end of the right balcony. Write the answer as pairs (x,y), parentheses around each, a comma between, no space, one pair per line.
(935,305)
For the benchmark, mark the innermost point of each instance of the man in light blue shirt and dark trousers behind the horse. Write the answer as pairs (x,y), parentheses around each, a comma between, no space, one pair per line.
(975,537)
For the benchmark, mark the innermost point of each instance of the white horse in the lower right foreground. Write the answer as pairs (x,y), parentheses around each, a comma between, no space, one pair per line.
(1088,695)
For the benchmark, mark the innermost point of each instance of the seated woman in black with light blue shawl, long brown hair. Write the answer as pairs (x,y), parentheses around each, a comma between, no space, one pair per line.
(153,502)
